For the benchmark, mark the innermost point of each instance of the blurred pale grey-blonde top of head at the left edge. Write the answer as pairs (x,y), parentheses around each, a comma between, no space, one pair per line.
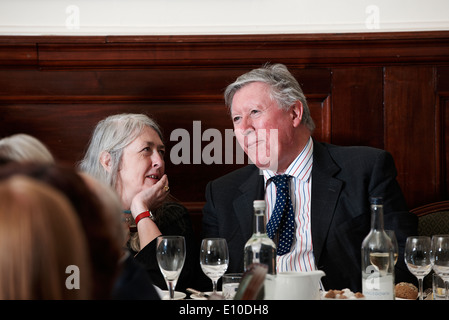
(23,148)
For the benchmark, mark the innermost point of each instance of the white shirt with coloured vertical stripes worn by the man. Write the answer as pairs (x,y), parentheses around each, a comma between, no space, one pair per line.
(300,258)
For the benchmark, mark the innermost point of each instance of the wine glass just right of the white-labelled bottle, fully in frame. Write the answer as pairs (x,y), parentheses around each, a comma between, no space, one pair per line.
(417,258)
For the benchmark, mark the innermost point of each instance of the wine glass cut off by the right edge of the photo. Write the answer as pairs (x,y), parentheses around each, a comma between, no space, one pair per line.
(440,258)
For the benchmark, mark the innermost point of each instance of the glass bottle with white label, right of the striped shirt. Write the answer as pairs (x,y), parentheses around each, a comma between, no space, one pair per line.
(377,257)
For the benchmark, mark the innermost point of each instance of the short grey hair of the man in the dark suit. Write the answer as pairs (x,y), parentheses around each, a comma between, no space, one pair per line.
(285,89)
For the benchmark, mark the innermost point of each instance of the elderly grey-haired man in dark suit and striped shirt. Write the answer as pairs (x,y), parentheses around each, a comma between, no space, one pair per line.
(329,185)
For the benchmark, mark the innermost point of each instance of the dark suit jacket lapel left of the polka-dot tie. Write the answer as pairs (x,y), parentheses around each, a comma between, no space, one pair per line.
(252,189)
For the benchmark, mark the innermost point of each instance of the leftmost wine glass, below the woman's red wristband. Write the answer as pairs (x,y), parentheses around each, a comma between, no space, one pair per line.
(171,254)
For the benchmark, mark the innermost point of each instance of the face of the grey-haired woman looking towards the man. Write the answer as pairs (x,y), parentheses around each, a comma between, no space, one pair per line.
(142,164)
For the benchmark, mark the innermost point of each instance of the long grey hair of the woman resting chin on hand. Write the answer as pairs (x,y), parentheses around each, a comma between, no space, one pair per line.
(113,135)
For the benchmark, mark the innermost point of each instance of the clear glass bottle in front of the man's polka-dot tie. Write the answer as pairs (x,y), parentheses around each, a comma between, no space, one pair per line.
(260,248)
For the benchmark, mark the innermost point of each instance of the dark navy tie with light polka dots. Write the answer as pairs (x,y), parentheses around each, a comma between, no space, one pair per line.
(283,217)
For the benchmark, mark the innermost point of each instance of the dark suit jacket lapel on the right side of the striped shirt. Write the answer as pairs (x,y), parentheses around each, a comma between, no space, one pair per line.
(325,192)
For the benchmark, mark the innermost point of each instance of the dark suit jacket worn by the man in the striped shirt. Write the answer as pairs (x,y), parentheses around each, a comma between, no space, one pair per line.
(343,179)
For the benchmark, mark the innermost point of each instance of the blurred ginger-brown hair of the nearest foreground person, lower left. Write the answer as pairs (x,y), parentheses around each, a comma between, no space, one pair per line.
(40,236)
